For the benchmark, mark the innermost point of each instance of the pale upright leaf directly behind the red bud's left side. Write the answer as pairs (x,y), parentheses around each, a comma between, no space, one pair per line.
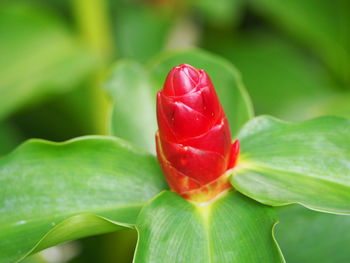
(134,112)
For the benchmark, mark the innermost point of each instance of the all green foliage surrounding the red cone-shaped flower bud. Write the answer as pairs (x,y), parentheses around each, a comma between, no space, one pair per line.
(58,57)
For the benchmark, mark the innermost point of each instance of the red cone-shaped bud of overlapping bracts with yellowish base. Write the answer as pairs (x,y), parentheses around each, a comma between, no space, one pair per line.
(194,140)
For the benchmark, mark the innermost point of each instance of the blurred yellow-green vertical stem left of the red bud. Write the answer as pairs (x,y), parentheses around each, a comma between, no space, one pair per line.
(93,23)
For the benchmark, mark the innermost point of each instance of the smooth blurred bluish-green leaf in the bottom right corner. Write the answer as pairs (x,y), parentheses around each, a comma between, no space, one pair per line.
(308,236)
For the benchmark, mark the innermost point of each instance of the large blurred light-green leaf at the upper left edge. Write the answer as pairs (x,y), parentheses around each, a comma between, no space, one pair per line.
(39,56)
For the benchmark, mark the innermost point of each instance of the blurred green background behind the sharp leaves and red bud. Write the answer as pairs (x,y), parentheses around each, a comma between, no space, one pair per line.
(293,55)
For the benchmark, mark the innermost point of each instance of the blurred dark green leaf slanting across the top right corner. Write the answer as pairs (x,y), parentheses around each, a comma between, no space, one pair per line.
(321,24)
